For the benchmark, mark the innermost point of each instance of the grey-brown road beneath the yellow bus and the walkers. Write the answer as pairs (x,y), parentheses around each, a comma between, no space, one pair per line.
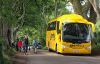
(45,57)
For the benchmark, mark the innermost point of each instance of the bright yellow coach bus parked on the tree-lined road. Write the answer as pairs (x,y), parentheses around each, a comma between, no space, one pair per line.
(70,33)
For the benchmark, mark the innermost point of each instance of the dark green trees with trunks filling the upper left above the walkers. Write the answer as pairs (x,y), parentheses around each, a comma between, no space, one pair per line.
(15,15)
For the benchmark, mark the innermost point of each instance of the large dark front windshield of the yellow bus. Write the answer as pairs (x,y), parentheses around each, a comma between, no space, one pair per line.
(76,33)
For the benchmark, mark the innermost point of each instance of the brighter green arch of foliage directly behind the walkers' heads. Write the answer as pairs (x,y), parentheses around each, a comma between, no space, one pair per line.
(32,32)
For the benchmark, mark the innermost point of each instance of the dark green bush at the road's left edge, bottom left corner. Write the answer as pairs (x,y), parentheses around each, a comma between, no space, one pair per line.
(5,52)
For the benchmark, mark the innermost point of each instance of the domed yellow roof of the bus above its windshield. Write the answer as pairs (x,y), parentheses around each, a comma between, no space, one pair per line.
(70,18)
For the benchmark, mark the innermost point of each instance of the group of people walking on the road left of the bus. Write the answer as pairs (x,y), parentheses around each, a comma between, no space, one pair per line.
(23,45)
